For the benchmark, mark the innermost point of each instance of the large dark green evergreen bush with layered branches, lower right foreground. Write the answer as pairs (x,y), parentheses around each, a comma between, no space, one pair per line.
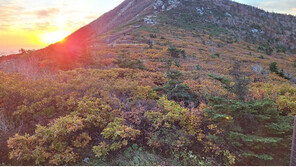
(255,131)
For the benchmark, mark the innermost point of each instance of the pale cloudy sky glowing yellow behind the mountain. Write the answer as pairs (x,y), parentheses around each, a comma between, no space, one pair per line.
(33,24)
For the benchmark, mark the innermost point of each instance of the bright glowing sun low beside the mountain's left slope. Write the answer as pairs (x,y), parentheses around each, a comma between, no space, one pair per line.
(53,37)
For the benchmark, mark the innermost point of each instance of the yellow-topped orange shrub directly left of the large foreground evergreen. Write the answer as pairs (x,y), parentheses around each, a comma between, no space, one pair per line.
(182,134)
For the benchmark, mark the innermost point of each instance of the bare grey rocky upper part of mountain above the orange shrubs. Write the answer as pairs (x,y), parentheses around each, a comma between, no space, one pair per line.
(242,21)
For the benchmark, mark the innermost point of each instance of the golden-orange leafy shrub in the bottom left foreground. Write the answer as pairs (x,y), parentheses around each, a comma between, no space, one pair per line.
(49,145)
